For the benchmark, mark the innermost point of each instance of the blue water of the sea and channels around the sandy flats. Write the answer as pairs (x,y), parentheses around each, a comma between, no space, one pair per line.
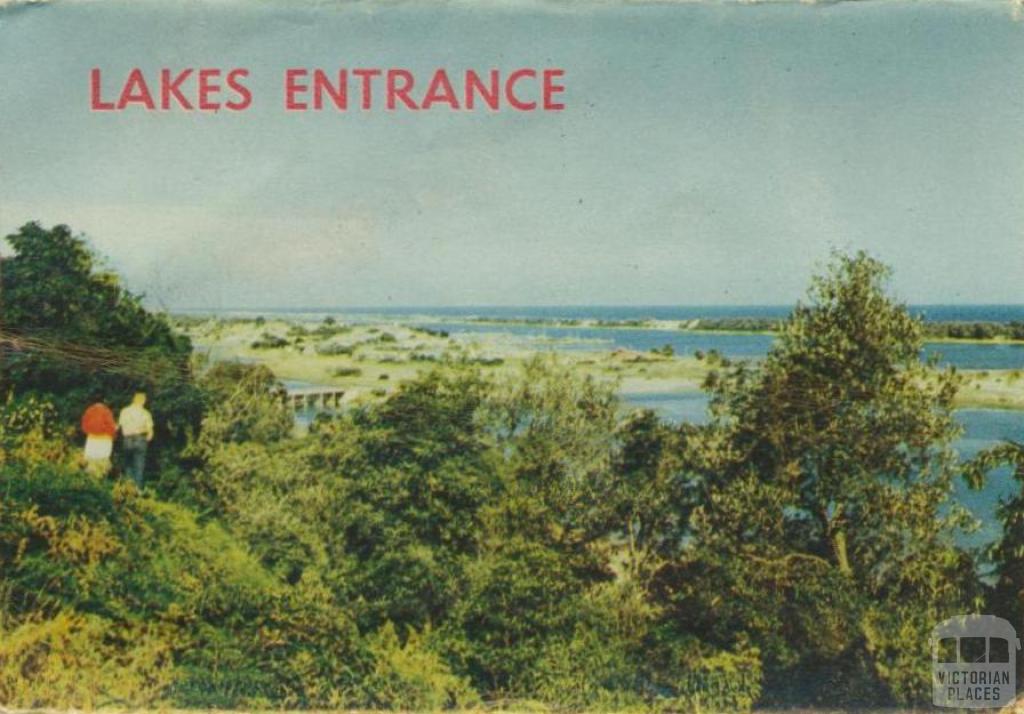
(983,428)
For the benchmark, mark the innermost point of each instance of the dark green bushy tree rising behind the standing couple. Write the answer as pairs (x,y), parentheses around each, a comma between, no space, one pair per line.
(74,332)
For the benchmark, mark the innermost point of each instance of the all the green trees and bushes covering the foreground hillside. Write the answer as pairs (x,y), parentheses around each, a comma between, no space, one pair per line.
(480,535)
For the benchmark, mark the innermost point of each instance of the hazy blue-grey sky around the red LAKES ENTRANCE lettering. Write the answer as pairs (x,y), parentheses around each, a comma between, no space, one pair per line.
(710,153)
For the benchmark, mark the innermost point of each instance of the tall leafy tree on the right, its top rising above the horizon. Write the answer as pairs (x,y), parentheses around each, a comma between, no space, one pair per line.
(827,535)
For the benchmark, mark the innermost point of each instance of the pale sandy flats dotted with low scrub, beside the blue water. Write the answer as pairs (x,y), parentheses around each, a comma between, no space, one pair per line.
(370,360)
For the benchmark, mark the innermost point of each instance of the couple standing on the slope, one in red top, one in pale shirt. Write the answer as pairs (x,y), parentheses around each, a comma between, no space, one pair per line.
(136,425)
